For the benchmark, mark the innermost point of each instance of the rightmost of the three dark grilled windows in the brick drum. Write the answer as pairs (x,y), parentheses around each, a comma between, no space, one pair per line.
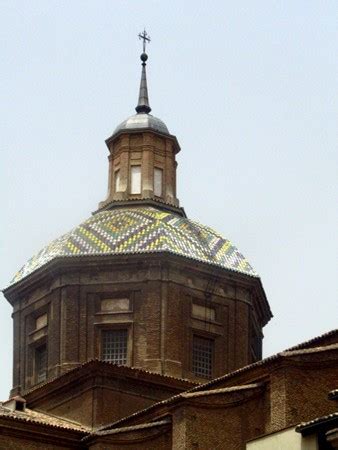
(202,356)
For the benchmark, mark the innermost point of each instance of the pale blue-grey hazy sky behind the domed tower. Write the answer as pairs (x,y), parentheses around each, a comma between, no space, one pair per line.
(248,87)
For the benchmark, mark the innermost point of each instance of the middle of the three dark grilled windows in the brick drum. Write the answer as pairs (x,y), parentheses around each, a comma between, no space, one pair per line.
(114,346)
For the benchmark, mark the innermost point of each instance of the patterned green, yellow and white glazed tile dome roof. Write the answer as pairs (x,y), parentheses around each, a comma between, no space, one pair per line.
(141,230)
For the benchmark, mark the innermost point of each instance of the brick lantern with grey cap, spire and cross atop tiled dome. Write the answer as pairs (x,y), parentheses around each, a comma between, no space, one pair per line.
(142,156)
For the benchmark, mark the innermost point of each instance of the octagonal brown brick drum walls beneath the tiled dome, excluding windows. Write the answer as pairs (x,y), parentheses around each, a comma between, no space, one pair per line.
(160,291)
